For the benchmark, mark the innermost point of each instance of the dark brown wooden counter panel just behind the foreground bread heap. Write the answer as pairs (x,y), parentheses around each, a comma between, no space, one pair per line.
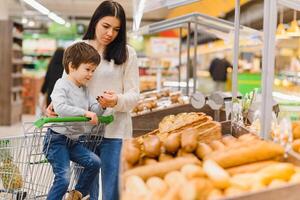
(149,121)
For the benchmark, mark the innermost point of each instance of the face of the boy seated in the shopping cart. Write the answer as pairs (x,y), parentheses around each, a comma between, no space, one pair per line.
(83,73)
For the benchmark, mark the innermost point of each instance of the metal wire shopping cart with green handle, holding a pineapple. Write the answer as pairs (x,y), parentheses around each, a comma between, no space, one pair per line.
(24,170)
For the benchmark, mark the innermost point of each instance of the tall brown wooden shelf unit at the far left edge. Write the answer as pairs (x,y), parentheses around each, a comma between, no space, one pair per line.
(11,59)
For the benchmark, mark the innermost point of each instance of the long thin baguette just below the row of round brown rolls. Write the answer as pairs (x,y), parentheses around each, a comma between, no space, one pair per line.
(161,168)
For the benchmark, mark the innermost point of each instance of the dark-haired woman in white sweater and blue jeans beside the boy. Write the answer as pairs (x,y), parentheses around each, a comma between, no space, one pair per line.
(117,79)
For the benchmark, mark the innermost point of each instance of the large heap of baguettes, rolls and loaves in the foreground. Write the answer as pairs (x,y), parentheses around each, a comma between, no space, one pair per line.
(188,158)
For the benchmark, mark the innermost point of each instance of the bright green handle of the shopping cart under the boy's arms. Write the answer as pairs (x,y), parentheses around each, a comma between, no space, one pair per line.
(103,119)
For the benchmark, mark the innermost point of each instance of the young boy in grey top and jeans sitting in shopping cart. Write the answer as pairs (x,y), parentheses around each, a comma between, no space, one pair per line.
(63,144)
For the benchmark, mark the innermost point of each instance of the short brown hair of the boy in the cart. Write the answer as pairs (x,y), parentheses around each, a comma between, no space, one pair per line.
(79,53)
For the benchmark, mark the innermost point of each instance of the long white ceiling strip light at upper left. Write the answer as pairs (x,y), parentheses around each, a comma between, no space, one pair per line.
(45,11)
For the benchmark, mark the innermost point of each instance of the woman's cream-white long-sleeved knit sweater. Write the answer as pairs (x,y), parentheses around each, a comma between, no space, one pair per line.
(124,80)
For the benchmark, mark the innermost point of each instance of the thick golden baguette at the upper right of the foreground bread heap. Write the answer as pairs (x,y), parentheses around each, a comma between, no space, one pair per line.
(248,153)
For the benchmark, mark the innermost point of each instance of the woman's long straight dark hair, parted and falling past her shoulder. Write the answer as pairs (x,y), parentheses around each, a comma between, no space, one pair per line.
(117,49)
